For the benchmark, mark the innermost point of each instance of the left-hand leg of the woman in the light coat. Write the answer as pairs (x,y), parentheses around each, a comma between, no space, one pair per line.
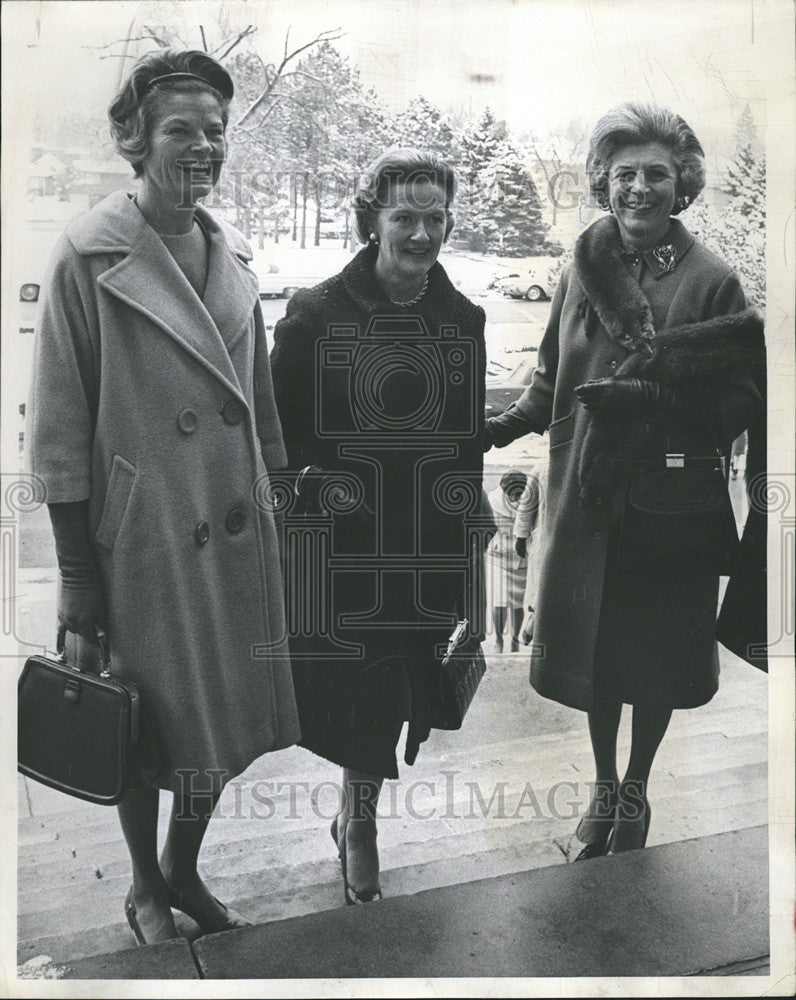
(138,815)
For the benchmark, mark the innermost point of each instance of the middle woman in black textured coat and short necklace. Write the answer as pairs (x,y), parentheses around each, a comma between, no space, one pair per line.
(379,381)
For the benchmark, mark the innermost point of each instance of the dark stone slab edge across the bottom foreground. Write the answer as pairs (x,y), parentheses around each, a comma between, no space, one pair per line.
(693,908)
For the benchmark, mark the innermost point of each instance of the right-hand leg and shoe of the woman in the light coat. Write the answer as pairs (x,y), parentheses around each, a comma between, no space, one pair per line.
(190,815)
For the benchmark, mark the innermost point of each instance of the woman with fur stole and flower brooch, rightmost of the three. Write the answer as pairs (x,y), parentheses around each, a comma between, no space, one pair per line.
(651,365)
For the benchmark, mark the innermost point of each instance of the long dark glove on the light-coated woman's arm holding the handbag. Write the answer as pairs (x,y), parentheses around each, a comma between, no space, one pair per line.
(81,604)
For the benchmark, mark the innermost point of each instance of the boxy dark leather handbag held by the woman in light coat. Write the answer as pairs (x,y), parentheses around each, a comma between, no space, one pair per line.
(76,728)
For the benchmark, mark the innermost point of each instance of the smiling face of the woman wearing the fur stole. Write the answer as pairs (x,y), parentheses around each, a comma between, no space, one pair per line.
(642,188)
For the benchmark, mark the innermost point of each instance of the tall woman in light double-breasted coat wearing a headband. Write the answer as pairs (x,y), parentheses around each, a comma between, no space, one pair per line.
(152,427)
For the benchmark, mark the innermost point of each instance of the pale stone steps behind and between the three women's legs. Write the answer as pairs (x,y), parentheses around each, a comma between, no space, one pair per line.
(499,797)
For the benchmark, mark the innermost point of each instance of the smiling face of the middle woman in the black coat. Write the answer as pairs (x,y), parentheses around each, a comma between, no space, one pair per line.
(411,229)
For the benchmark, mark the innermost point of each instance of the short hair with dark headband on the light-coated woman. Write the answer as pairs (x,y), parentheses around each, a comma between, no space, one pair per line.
(134,109)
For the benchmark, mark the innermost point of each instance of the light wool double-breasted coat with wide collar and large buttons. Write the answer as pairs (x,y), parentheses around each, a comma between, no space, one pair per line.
(157,407)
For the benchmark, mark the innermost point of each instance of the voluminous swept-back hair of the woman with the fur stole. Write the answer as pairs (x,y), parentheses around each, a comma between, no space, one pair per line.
(634,123)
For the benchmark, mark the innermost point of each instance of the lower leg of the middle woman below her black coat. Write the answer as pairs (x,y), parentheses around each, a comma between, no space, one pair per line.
(356,830)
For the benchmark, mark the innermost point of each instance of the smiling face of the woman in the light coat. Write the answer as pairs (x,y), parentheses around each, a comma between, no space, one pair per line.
(187,148)
